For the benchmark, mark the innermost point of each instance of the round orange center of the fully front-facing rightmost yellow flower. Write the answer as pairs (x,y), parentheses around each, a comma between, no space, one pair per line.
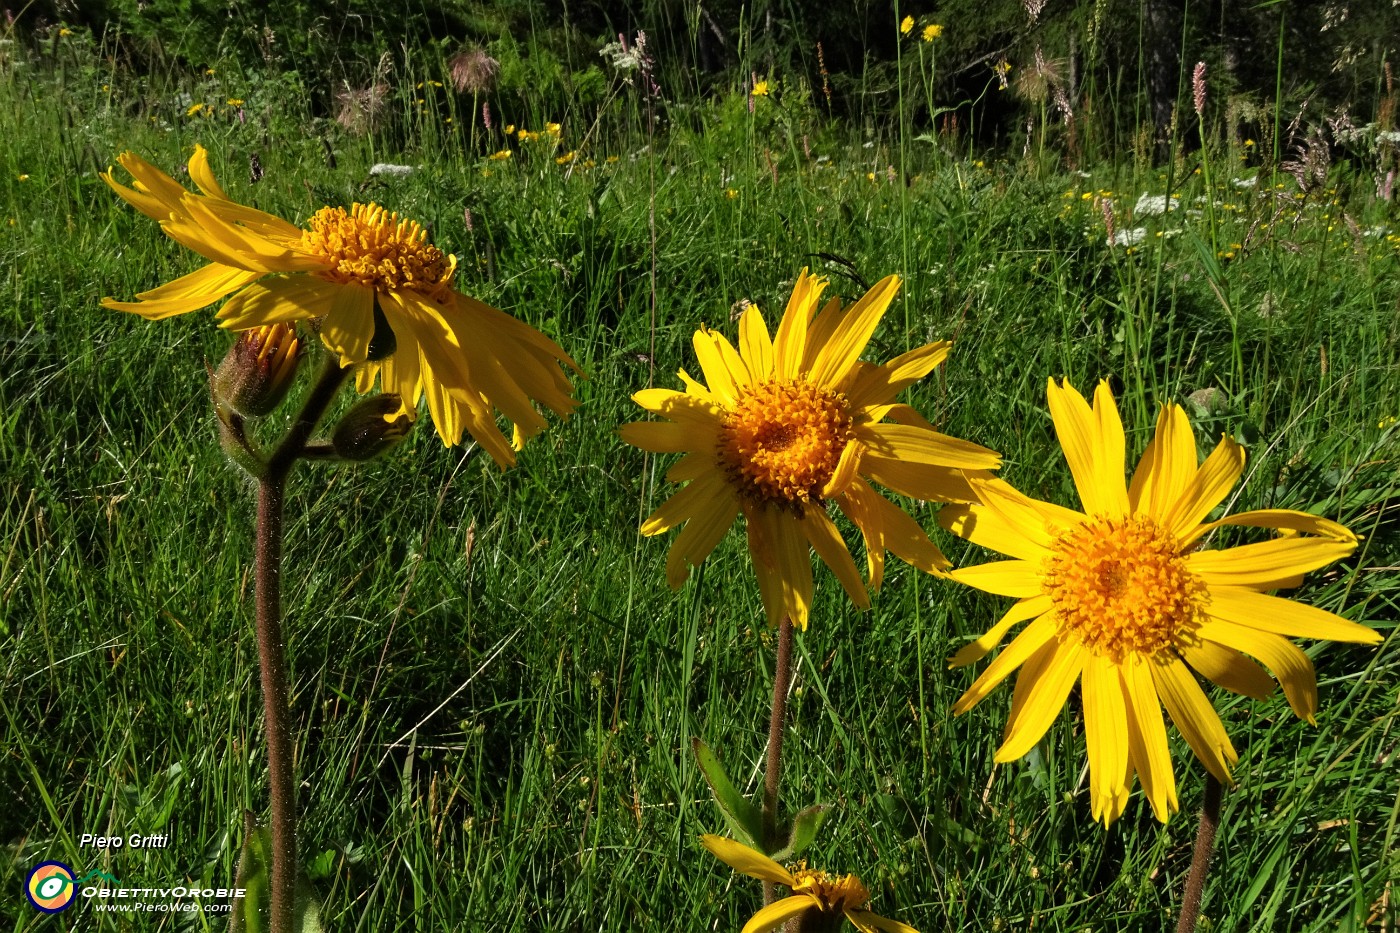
(1122,588)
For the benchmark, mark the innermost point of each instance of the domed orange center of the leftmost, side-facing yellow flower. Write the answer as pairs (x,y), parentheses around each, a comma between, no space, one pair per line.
(373,249)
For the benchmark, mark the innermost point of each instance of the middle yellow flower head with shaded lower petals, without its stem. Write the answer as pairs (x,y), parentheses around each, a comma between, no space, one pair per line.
(787,425)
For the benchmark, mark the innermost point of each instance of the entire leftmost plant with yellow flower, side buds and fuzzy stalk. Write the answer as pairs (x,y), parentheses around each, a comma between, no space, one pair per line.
(381,300)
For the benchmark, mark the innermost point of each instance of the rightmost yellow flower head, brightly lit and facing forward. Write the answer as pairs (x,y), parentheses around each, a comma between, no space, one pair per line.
(1125,600)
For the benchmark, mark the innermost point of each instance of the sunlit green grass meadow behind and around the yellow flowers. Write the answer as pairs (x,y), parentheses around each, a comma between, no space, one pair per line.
(493,689)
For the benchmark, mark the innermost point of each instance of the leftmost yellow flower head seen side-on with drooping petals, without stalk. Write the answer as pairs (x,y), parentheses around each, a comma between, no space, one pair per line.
(362,274)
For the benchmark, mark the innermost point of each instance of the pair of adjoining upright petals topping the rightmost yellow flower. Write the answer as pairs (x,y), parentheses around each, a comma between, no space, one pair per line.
(1091,439)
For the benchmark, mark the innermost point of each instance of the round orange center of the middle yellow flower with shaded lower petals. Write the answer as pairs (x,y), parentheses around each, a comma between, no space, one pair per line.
(783,441)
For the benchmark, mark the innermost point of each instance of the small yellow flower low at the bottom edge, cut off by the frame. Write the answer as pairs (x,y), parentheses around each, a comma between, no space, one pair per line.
(818,901)
